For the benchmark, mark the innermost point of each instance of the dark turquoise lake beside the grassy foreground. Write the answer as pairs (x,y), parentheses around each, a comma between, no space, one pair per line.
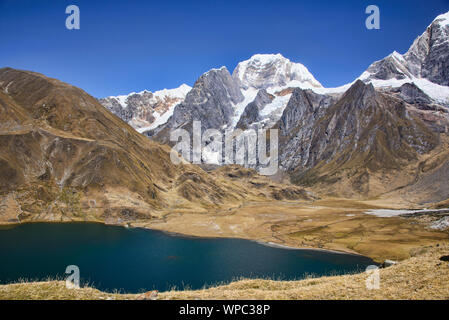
(134,259)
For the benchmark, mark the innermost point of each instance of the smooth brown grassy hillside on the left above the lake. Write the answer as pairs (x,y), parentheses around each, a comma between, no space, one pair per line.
(64,157)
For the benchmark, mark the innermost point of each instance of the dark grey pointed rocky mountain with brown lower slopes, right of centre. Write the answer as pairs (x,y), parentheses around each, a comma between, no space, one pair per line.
(362,134)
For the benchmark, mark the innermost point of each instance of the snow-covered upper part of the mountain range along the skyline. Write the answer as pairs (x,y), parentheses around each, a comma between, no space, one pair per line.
(425,65)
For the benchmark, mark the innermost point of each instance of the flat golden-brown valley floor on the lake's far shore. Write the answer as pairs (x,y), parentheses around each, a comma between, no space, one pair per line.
(331,224)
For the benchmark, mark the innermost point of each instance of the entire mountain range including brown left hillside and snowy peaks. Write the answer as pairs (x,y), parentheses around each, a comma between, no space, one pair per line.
(65,155)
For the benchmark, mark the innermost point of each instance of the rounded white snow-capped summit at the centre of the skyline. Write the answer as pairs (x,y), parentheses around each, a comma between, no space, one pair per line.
(263,71)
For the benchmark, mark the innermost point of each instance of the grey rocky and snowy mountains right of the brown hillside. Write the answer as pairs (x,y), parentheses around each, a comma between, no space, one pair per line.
(354,140)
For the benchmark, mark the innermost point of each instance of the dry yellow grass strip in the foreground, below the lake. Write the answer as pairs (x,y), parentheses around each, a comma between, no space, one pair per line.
(423,276)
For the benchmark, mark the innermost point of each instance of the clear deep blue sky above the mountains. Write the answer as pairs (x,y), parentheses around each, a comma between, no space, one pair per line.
(126,46)
